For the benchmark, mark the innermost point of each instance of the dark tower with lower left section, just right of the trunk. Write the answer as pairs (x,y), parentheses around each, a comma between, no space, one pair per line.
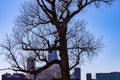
(76,75)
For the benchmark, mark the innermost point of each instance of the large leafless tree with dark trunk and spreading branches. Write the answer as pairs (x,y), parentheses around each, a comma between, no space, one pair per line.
(45,22)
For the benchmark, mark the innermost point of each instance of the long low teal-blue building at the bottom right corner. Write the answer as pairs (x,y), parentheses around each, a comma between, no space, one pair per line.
(108,76)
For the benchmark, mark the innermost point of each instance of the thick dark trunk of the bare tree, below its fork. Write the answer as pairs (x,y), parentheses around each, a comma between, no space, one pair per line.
(64,53)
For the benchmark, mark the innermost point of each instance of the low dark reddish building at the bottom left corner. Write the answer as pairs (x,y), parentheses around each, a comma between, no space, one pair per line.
(15,76)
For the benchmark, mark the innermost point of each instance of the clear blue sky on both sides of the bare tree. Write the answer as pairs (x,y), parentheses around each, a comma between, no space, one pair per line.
(103,22)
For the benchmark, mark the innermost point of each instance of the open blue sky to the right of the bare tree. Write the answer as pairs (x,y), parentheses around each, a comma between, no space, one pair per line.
(104,22)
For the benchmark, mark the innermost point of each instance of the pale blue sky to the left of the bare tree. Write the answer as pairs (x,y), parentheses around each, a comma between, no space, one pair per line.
(9,10)
